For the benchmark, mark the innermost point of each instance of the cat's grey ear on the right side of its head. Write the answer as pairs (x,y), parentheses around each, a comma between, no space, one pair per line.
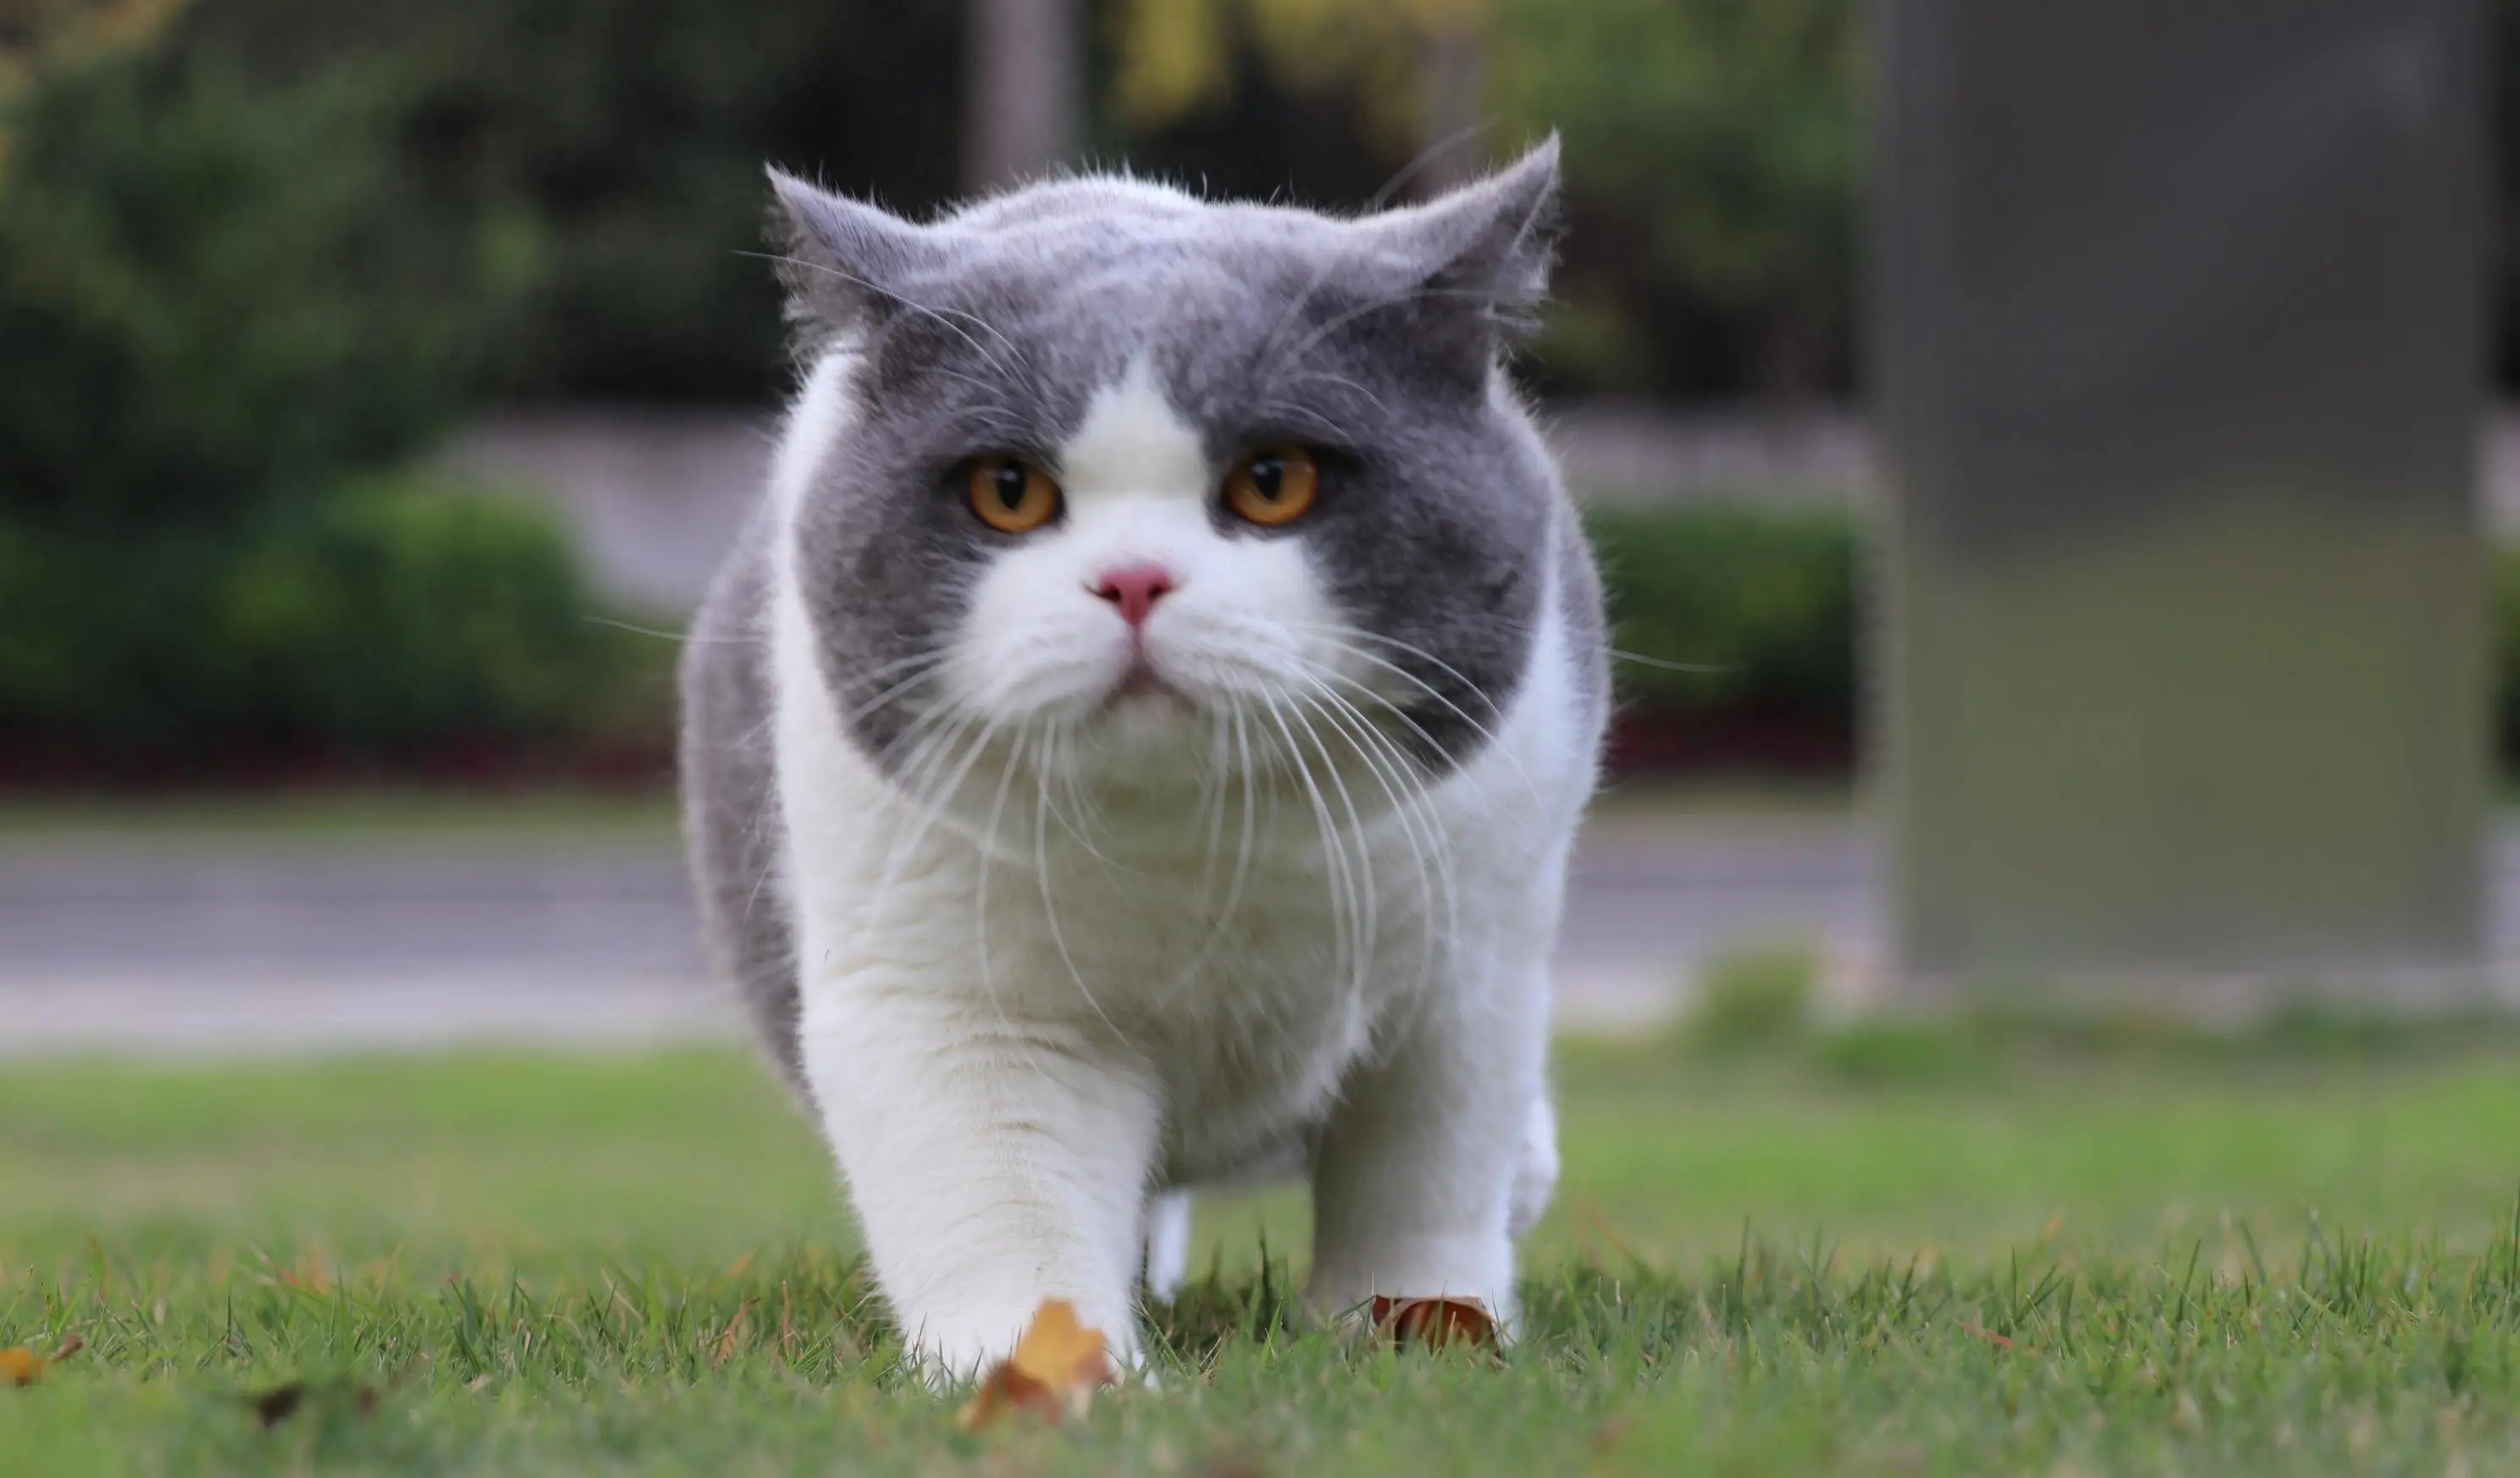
(1491,243)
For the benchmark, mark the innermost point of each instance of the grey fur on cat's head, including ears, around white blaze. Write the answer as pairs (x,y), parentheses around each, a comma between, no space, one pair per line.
(1372,341)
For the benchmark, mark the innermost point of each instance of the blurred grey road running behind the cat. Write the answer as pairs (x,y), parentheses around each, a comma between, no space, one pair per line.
(248,943)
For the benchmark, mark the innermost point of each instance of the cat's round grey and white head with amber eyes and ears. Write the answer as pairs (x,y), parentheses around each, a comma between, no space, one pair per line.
(1140,487)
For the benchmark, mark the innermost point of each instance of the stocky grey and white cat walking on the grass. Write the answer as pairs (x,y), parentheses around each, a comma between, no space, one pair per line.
(1140,736)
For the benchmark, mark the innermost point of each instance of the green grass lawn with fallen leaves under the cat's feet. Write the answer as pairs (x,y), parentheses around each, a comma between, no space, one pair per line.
(2292,1258)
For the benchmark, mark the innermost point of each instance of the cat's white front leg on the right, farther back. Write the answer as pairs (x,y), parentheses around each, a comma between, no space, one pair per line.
(1417,1172)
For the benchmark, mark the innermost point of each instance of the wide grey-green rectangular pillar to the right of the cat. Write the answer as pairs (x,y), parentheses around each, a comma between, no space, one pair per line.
(2179,356)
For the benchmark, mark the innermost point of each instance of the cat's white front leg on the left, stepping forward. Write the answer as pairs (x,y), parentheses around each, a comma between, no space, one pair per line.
(994,1165)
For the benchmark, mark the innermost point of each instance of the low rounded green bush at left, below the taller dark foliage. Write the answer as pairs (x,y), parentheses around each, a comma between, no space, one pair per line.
(389,621)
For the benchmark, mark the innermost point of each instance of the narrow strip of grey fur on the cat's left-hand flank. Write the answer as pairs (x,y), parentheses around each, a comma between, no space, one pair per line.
(732,792)
